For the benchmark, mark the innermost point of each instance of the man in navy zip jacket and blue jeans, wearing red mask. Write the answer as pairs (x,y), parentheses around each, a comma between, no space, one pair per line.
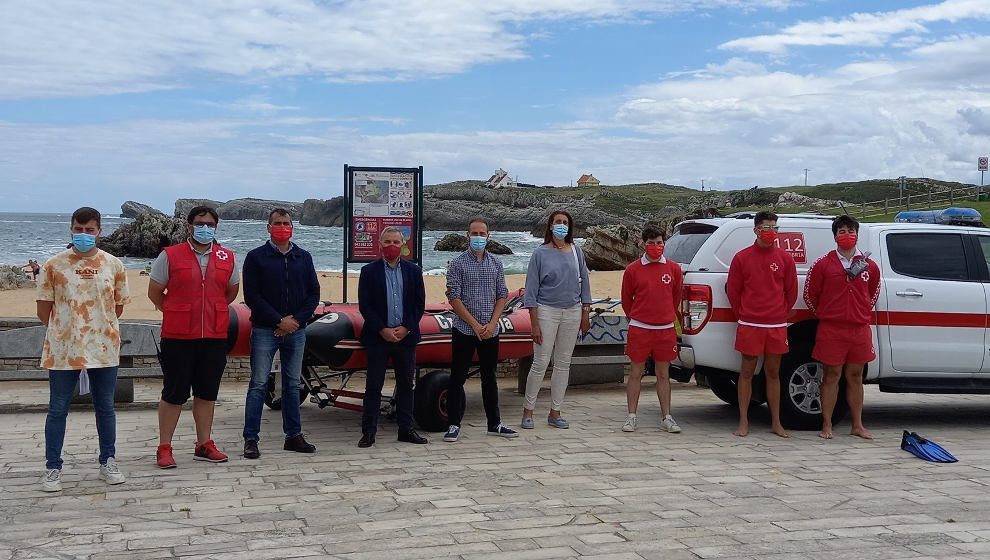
(281,288)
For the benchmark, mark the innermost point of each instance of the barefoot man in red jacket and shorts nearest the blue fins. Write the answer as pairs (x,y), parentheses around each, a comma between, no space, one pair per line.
(841,289)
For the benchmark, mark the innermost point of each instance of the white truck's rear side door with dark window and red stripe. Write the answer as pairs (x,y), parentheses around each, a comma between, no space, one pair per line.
(936,304)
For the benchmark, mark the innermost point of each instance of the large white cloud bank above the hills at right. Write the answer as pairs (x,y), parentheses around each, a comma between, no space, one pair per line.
(864,119)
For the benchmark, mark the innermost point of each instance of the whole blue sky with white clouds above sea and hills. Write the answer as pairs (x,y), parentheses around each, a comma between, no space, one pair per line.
(101,102)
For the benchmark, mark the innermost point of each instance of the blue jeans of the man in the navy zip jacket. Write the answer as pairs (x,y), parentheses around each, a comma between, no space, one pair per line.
(290,347)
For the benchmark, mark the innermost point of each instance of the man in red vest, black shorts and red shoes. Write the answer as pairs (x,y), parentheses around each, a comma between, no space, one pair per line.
(192,283)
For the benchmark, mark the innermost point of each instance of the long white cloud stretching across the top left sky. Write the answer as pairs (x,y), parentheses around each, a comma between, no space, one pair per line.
(62,48)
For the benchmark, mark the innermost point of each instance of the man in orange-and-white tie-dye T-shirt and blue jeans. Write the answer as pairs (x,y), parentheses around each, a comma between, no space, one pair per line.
(81,293)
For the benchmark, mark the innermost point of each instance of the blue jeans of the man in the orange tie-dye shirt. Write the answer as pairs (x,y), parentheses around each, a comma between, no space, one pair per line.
(61,386)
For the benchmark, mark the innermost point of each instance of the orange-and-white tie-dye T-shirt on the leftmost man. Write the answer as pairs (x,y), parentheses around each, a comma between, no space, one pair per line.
(83,331)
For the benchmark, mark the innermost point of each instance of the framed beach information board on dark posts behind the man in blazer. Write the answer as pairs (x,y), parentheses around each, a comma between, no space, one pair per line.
(376,198)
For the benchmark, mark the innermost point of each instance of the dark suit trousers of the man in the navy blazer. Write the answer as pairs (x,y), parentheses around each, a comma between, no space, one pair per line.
(403,362)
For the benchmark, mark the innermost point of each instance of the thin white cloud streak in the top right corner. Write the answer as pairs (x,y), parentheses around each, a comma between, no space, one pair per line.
(863,29)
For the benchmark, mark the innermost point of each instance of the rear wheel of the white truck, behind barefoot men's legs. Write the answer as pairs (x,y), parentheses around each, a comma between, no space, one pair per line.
(801,379)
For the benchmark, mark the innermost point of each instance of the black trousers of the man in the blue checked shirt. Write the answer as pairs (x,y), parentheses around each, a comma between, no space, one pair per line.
(463,348)
